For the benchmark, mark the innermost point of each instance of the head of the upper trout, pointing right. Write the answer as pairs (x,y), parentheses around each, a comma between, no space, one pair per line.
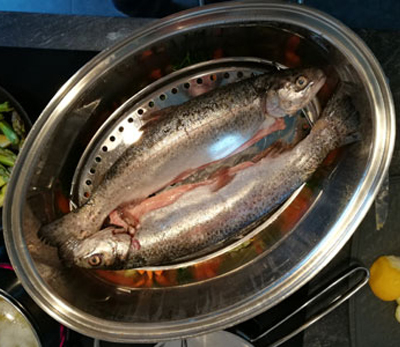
(291,90)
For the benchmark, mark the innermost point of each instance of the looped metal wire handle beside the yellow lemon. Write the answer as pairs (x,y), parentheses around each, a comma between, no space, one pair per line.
(363,278)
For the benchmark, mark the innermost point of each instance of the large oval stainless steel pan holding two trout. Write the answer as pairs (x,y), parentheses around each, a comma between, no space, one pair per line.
(228,287)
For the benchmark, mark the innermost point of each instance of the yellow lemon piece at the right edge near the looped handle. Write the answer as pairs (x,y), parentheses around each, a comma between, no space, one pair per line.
(385,278)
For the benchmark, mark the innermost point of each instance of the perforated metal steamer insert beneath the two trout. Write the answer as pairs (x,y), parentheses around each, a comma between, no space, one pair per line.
(122,129)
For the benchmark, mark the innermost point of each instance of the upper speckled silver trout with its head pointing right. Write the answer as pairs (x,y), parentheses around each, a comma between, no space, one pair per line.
(186,137)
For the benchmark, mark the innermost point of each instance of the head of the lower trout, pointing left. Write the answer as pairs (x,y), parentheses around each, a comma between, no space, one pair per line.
(107,249)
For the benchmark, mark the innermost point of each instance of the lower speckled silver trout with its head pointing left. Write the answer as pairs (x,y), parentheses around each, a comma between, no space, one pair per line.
(203,218)
